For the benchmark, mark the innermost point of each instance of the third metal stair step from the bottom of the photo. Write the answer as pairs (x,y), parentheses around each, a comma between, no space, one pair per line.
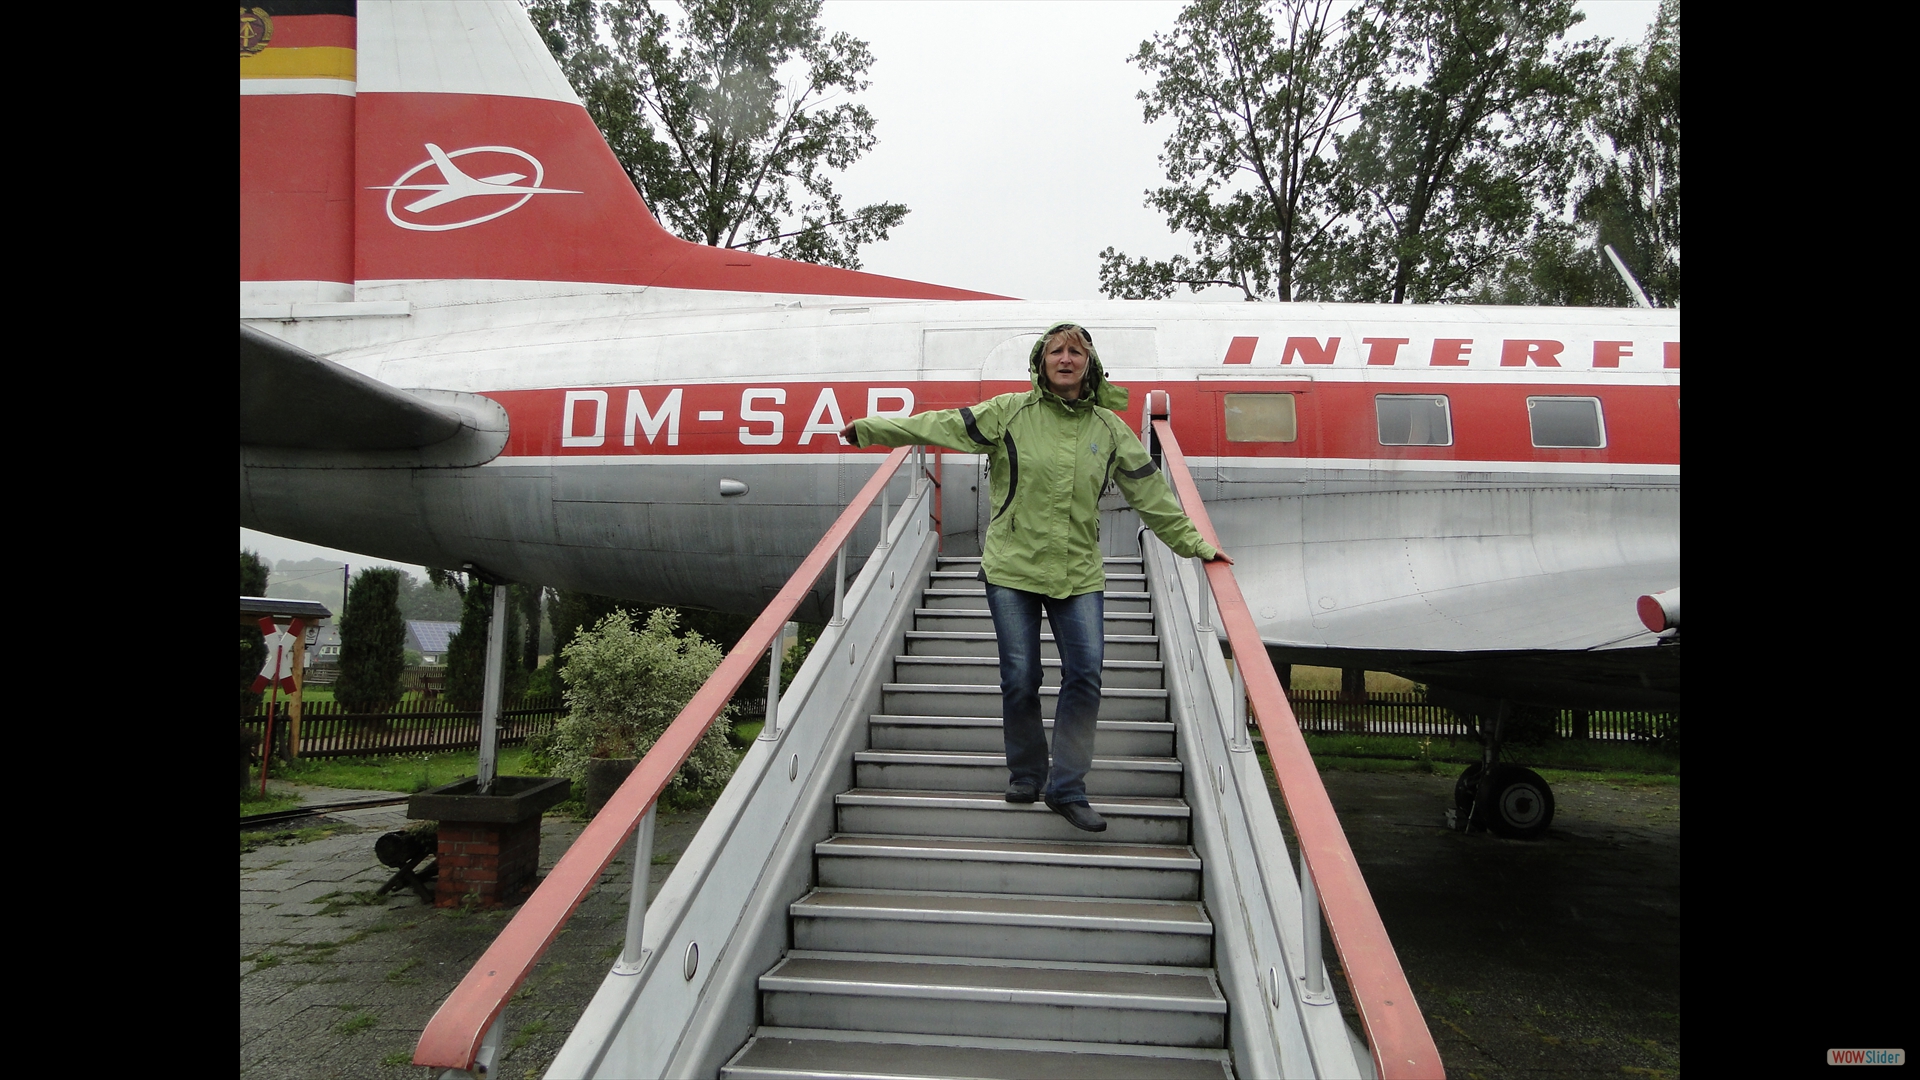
(1005,927)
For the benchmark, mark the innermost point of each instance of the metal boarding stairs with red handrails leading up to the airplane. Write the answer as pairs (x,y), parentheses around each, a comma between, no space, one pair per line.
(861,902)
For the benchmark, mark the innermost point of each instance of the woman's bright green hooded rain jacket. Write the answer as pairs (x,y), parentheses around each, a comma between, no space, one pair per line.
(1051,460)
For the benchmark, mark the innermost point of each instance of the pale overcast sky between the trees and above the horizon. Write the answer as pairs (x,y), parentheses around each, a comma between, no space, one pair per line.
(1013,134)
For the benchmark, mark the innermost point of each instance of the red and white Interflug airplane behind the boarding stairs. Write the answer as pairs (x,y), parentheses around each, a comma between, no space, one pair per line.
(564,393)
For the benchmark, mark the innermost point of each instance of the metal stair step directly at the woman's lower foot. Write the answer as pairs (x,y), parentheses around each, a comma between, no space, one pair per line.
(1130,820)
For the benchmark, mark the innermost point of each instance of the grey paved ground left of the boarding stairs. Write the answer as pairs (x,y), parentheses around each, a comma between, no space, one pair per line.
(339,983)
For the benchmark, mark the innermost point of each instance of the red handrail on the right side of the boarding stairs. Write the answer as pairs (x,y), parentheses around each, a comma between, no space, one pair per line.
(1397,1033)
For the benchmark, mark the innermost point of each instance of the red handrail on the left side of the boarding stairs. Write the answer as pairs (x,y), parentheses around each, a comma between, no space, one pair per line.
(452,1039)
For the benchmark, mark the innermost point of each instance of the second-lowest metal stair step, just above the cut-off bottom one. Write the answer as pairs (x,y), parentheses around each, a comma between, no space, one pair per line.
(873,993)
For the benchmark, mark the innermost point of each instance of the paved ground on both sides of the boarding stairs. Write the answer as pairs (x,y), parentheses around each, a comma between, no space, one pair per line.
(1556,958)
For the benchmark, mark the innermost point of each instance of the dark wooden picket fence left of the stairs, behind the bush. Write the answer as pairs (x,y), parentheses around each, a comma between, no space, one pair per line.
(329,731)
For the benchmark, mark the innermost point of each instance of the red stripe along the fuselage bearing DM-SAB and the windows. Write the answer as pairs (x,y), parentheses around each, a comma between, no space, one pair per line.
(1335,420)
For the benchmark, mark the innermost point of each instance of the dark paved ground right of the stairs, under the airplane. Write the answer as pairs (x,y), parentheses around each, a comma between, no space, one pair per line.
(1552,958)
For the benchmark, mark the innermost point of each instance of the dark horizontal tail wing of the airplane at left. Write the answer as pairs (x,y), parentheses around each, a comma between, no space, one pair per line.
(297,401)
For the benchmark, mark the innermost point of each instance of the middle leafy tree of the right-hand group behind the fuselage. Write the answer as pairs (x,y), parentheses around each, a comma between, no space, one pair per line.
(1470,135)
